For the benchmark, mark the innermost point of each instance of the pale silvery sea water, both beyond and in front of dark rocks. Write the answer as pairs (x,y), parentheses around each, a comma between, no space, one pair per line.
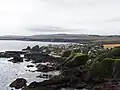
(10,71)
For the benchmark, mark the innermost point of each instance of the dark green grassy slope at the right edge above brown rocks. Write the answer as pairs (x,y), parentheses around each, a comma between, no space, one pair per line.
(106,64)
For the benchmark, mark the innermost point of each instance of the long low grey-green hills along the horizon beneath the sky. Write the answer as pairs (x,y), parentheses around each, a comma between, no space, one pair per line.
(81,38)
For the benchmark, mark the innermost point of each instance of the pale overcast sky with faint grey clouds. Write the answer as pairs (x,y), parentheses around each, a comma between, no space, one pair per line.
(30,17)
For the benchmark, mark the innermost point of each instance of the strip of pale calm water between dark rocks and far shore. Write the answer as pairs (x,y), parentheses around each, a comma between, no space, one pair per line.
(19,45)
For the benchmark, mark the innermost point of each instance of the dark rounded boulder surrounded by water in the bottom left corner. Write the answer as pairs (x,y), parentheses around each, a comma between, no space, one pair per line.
(18,83)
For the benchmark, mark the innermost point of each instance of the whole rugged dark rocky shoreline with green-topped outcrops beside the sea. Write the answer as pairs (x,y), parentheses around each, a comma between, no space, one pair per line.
(81,66)
